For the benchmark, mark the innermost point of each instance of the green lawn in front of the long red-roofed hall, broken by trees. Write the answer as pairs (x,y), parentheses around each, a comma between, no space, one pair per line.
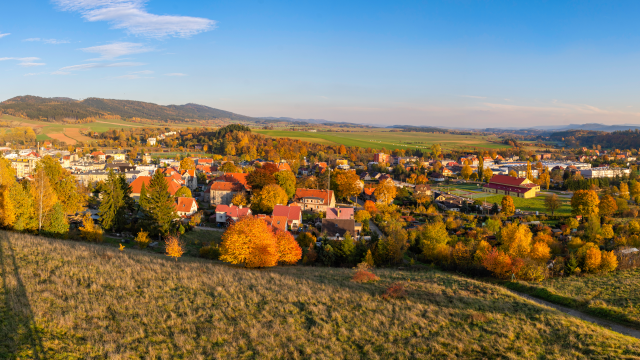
(533,204)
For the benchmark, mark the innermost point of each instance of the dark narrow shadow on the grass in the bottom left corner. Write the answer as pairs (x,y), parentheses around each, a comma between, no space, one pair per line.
(19,335)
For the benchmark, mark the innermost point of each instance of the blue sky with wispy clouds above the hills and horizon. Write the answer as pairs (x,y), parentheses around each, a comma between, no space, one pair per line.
(428,63)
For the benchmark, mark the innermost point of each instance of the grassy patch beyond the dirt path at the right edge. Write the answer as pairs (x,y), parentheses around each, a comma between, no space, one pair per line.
(614,296)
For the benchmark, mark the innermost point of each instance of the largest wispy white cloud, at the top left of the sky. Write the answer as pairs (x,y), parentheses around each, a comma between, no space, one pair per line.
(132,16)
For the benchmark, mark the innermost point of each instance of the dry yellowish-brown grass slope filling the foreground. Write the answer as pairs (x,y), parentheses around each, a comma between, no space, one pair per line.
(62,299)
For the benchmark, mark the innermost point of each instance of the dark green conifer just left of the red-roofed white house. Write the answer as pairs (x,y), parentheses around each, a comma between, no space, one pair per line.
(159,208)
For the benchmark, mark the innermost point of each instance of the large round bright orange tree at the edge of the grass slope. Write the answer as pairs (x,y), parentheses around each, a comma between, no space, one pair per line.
(251,242)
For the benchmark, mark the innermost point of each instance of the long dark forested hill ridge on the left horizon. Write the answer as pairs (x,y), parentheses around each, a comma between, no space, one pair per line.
(58,108)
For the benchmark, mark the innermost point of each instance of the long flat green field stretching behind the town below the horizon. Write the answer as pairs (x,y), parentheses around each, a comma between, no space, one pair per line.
(383,138)
